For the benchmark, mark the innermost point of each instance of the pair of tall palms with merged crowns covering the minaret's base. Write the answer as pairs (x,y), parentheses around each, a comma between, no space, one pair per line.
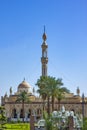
(48,87)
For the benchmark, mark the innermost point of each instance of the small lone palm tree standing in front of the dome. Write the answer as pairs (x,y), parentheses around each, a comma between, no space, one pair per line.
(23,97)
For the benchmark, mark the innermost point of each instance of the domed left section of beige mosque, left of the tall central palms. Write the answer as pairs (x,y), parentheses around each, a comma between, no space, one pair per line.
(13,109)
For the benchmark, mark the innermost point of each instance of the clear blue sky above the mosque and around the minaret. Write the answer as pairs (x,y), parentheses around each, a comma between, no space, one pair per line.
(21,29)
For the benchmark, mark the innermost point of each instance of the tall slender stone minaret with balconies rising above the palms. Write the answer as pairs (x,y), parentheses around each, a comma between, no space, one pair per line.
(44,58)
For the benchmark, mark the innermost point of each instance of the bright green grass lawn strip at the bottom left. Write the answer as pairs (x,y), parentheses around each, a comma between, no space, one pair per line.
(17,126)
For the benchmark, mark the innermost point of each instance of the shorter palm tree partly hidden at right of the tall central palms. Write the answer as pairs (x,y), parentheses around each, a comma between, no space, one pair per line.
(60,95)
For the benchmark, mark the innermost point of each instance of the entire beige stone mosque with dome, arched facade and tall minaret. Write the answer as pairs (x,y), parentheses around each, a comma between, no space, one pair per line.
(13,109)
